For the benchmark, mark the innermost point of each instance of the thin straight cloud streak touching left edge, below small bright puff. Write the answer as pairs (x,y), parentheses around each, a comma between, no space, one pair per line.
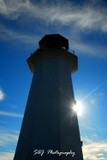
(11,114)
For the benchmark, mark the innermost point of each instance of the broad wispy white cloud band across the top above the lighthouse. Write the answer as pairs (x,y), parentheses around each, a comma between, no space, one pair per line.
(86,16)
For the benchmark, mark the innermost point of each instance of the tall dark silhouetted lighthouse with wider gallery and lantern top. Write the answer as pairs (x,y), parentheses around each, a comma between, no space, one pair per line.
(50,128)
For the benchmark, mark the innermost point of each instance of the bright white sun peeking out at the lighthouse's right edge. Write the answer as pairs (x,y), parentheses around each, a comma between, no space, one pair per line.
(78,108)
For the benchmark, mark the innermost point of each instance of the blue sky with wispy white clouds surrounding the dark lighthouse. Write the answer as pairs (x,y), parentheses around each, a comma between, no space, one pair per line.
(22,24)
